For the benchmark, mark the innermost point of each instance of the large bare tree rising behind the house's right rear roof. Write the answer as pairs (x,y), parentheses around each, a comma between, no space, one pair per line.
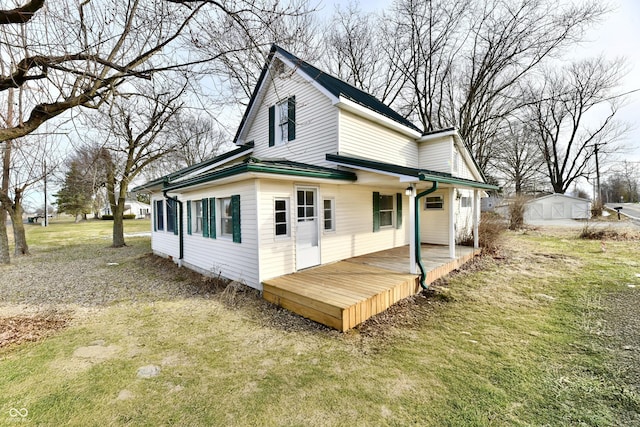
(463,60)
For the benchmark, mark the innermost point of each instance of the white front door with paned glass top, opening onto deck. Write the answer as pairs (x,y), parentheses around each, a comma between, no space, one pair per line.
(307,228)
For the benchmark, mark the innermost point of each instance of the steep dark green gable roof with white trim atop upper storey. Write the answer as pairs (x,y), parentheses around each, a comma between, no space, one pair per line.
(329,84)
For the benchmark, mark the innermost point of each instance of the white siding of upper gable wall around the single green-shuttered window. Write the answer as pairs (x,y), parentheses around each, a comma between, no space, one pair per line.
(316,123)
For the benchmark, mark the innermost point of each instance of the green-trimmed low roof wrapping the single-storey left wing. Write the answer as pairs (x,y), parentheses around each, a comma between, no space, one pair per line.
(272,167)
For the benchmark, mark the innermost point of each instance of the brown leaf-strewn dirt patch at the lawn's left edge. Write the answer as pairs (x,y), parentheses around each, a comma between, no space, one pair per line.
(19,329)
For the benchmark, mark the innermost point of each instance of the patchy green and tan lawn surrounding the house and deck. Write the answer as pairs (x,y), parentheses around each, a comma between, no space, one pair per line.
(526,338)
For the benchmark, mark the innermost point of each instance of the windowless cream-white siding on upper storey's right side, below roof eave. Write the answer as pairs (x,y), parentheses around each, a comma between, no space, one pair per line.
(360,137)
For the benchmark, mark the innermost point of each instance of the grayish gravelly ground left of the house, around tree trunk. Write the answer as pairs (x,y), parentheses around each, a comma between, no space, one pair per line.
(87,275)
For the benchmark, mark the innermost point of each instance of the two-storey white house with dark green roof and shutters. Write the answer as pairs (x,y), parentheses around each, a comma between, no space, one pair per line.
(323,172)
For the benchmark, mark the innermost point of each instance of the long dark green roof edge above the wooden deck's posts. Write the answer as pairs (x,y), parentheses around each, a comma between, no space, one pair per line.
(419,174)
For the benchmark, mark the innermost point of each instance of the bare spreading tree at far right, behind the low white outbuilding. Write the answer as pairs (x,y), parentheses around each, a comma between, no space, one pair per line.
(567,132)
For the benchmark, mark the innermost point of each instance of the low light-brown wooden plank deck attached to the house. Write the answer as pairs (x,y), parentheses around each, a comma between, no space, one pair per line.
(344,294)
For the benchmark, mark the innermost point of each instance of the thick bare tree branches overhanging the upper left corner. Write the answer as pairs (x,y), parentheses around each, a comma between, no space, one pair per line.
(74,54)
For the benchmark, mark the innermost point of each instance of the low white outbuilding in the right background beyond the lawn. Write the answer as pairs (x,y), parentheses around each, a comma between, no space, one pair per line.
(557,206)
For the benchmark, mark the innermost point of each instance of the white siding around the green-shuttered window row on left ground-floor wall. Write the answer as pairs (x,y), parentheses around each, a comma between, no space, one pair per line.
(236,261)
